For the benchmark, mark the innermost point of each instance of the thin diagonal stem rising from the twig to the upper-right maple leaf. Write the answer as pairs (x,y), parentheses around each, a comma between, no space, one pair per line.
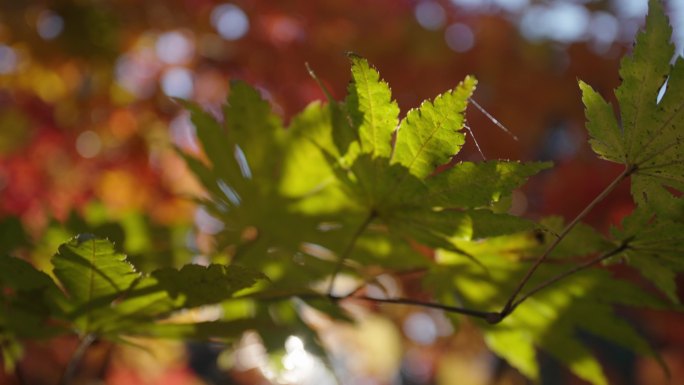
(512,299)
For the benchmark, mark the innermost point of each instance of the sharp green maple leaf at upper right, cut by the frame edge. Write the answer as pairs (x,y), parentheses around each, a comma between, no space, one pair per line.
(650,137)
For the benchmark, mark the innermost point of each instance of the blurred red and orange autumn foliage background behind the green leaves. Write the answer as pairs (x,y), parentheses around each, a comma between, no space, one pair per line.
(88,127)
